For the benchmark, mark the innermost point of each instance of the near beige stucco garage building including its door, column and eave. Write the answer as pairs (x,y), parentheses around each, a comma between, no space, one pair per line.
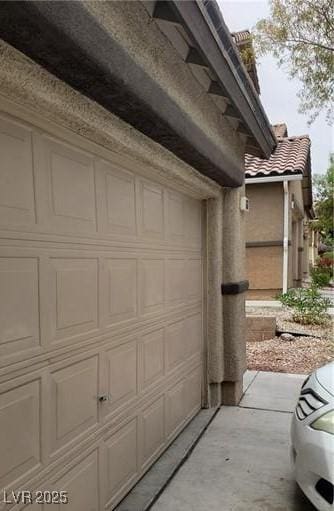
(123,132)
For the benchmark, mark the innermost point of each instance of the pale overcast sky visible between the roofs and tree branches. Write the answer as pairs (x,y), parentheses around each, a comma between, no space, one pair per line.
(278,92)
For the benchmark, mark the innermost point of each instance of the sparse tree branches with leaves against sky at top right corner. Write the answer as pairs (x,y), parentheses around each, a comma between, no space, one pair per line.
(300,35)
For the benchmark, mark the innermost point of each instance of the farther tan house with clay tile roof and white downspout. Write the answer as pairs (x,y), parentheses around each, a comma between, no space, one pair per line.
(280,208)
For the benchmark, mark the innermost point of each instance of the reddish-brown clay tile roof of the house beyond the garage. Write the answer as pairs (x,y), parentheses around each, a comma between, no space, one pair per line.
(289,157)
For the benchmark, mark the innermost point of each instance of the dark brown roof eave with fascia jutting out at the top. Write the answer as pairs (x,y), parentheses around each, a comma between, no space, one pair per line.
(216,50)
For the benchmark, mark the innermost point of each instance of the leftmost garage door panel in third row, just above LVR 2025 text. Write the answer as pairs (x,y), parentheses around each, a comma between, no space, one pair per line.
(20,441)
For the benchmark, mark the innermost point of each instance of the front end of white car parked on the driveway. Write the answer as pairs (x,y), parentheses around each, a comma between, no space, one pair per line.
(312,438)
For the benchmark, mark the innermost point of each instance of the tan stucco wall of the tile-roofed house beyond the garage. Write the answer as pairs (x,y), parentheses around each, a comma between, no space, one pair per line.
(264,224)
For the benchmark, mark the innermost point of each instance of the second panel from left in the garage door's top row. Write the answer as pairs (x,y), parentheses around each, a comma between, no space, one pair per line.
(66,187)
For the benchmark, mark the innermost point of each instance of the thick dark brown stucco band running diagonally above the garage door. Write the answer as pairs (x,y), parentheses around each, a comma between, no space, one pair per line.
(75,47)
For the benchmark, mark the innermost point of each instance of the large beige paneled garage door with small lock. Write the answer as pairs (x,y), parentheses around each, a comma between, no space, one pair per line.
(100,317)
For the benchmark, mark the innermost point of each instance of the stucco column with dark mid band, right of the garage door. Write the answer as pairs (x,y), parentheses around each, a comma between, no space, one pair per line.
(234,273)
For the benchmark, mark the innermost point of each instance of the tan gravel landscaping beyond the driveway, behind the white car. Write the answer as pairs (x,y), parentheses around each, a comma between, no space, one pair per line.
(302,355)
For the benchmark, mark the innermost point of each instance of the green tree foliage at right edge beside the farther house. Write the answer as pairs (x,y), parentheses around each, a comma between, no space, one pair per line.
(323,203)
